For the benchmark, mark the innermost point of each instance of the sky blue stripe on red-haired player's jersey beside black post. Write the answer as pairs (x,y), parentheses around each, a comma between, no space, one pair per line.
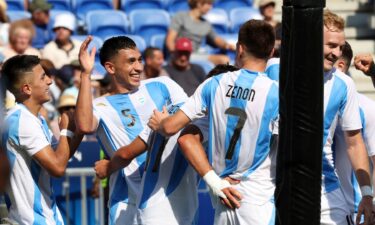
(335,105)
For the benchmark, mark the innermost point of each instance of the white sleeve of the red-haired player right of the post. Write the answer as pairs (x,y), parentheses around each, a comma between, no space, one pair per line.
(349,111)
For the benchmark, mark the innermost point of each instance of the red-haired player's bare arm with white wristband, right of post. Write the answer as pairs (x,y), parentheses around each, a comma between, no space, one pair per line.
(359,160)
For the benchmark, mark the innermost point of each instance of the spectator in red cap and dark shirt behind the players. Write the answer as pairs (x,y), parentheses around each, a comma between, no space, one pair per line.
(186,74)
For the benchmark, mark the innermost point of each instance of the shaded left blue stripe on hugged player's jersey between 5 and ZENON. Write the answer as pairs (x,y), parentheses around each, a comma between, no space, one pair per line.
(151,178)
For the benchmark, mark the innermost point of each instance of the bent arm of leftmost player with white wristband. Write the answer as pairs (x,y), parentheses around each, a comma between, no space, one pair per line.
(56,161)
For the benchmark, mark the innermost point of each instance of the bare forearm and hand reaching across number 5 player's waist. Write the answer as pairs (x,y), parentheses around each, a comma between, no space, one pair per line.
(122,158)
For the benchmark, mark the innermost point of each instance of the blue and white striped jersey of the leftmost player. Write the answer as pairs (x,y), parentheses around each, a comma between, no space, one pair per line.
(29,197)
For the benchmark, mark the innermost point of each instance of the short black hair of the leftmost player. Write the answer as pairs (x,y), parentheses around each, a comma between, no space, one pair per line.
(15,69)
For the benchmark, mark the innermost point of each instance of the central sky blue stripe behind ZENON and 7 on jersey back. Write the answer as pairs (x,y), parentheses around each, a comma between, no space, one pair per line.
(245,80)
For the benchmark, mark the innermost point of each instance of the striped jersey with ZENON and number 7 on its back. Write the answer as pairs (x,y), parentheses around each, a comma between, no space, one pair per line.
(243,108)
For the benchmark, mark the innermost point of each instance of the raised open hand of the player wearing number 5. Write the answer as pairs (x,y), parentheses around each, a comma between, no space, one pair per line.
(87,59)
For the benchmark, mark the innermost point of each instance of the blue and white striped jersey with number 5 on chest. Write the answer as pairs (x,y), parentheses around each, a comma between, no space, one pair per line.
(121,118)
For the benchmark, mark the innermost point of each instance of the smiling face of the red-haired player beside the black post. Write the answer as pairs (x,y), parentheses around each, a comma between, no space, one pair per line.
(333,42)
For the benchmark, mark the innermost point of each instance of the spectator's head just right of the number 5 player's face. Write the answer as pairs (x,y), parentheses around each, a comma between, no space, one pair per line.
(154,60)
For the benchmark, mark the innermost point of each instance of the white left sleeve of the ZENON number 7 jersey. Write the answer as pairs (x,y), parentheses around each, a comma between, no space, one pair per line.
(198,104)
